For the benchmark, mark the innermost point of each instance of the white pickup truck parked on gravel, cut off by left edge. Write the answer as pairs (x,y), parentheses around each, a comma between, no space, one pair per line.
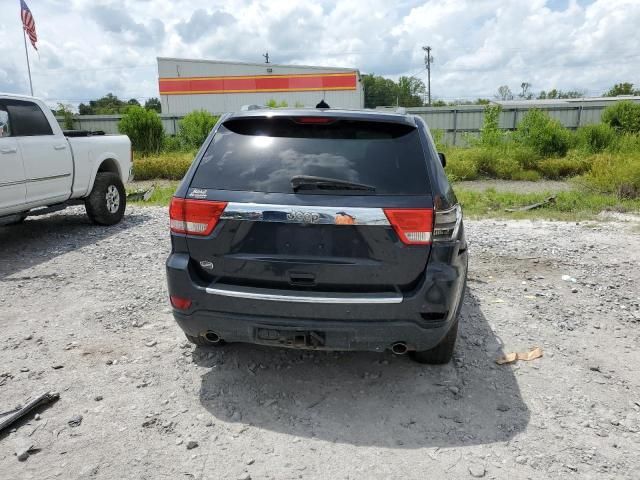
(43,169)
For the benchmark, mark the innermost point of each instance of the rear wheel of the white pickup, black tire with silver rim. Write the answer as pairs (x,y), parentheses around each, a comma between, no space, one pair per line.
(106,203)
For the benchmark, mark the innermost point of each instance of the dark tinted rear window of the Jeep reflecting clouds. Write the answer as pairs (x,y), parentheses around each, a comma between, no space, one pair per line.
(264,154)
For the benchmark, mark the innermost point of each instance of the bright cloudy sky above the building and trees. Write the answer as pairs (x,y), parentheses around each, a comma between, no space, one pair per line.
(88,48)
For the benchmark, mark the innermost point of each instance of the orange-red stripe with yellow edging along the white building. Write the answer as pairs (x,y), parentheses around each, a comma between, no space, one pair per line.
(258,83)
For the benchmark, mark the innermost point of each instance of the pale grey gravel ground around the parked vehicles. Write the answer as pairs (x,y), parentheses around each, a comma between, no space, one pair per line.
(92,302)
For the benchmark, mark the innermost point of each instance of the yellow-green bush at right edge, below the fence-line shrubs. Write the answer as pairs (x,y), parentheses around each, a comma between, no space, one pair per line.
(618,174)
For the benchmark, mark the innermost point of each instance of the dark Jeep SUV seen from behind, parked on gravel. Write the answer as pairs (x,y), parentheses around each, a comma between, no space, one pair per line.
(319,229)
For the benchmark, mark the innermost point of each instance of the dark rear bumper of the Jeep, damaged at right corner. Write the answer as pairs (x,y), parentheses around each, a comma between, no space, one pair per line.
(420,318)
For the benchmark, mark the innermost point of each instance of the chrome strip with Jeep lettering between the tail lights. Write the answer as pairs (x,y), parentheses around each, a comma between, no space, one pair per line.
(257,212)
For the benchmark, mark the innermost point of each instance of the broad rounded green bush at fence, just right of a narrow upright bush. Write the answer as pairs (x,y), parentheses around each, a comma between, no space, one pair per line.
(544,135)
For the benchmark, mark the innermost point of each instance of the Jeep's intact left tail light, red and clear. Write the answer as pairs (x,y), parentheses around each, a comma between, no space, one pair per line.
(194,217)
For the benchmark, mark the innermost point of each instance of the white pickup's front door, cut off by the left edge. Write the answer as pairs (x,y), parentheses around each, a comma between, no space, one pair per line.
(12,178)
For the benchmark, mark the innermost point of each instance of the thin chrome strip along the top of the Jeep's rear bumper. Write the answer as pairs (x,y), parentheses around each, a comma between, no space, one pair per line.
(311,297)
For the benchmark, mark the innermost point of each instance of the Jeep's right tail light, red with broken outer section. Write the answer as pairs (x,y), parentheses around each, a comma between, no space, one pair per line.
(422,226)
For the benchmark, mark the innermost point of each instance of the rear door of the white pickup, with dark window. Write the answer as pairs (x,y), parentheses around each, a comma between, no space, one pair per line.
(47,158)
